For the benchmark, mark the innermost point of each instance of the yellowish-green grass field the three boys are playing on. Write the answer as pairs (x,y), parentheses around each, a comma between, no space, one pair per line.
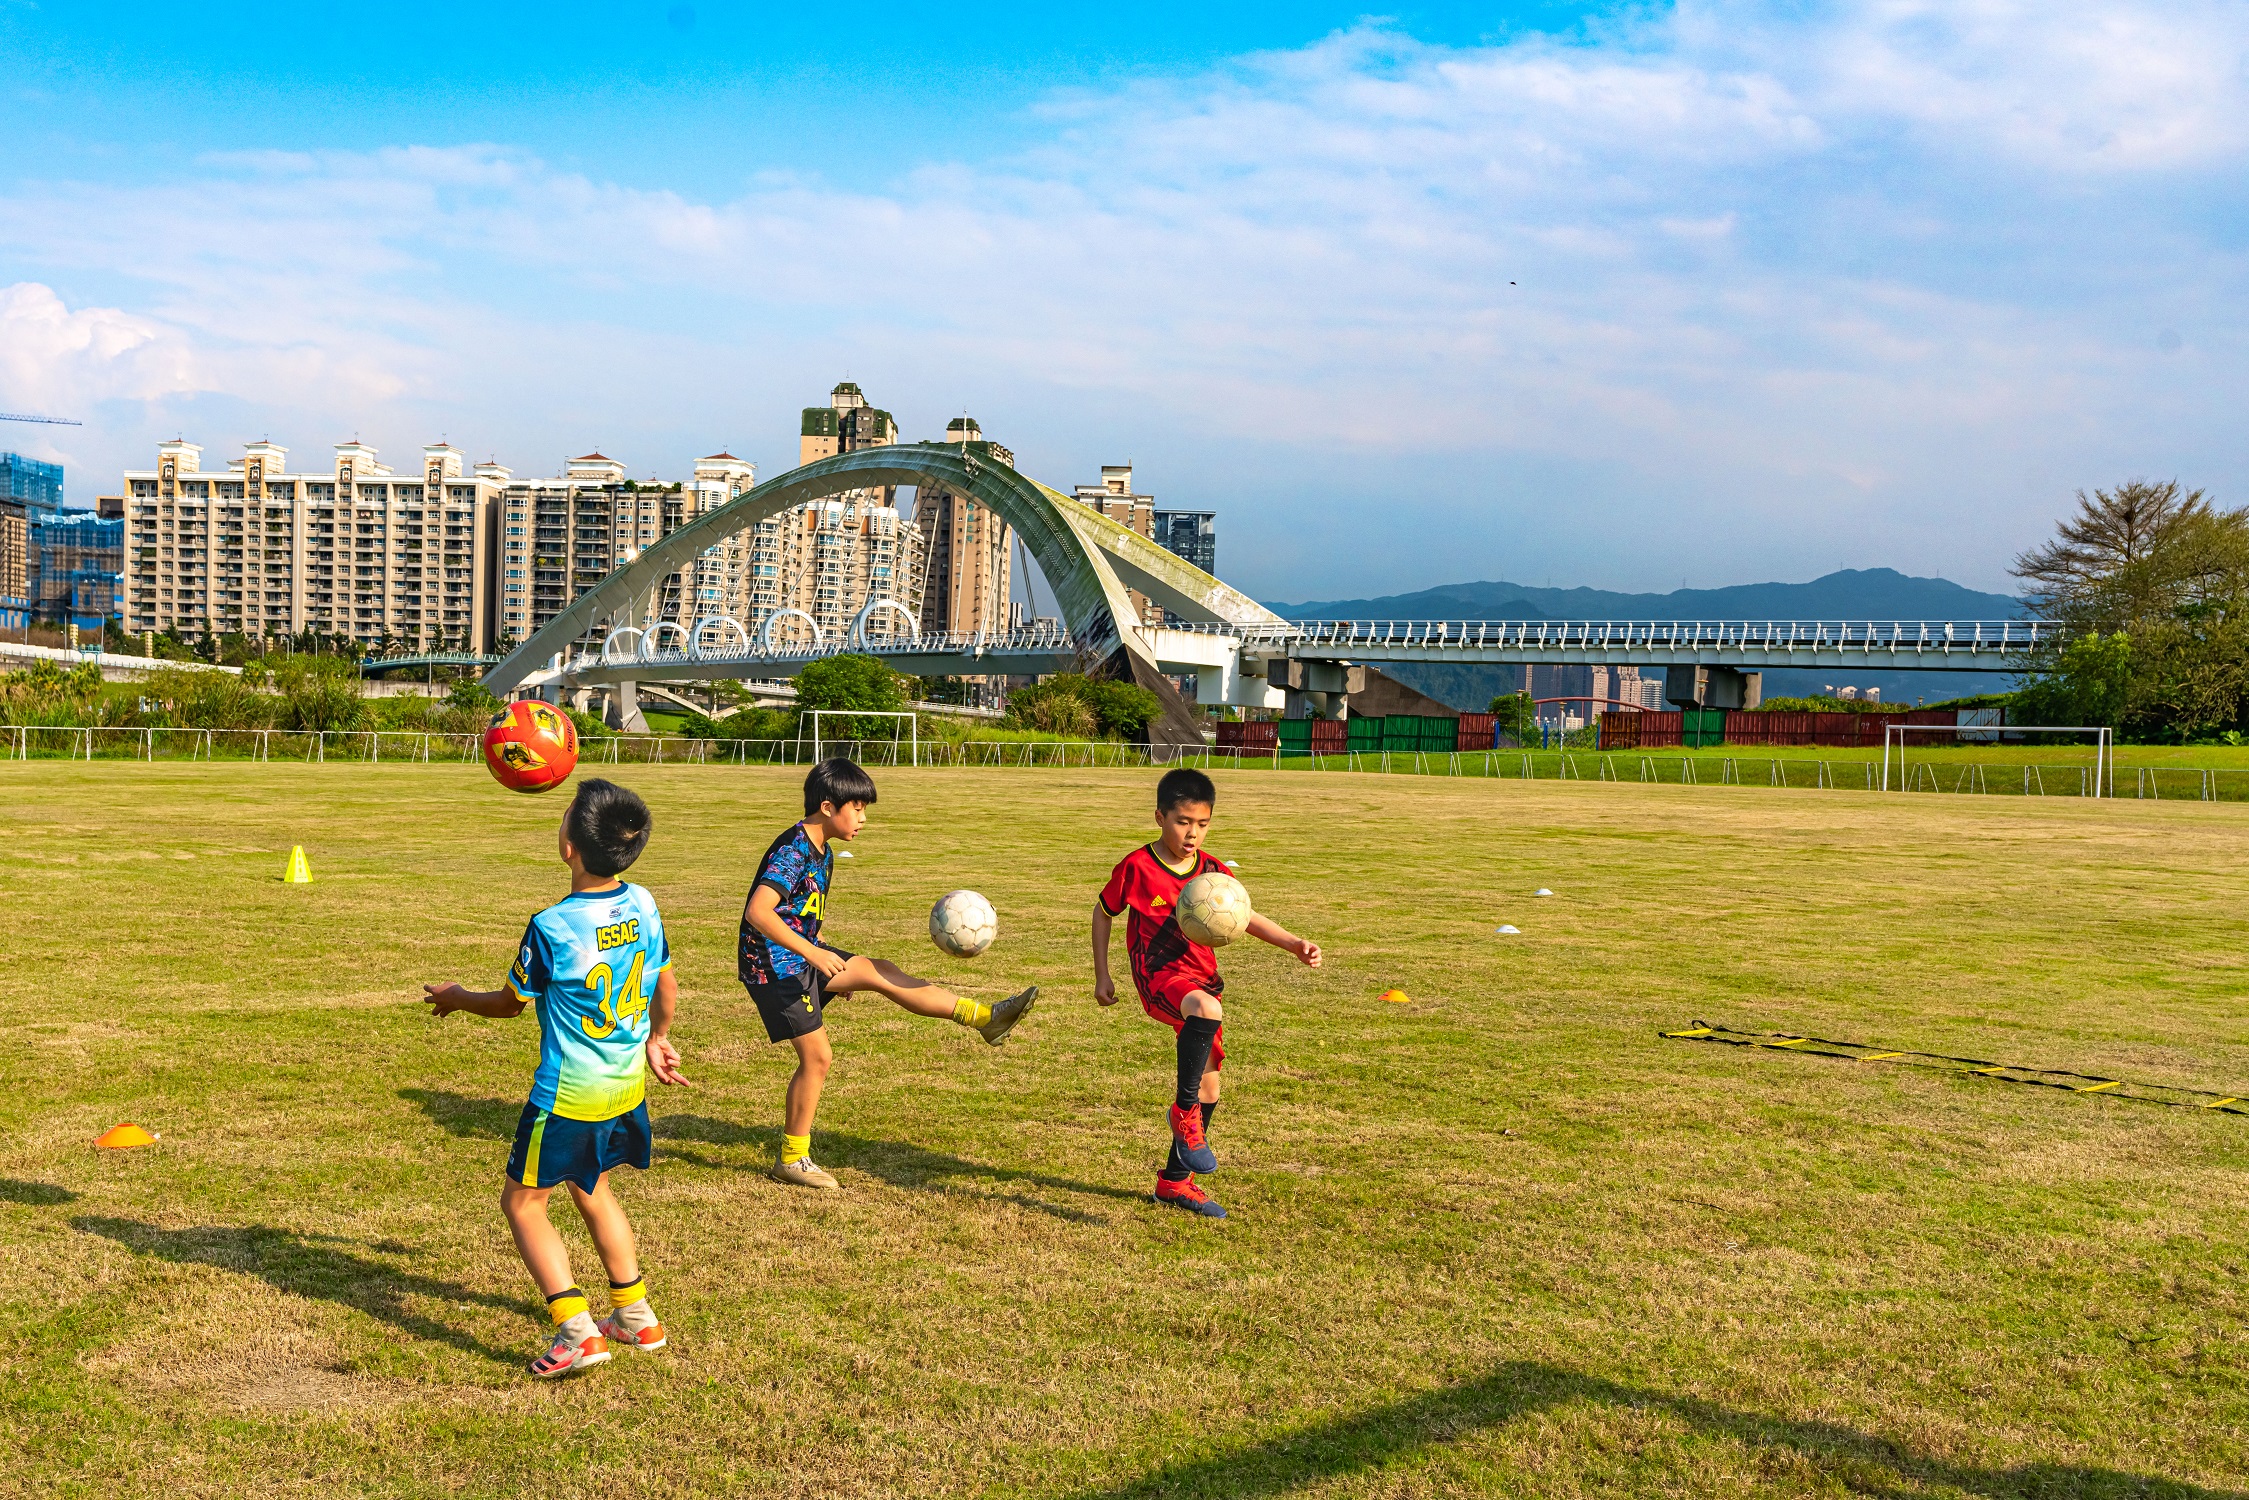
(1501,1240)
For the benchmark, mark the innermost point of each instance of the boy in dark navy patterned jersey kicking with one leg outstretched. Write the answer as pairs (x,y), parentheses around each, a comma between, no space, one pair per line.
(793,975)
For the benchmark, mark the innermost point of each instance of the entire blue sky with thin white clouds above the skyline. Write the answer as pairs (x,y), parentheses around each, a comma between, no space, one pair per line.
(1611,296)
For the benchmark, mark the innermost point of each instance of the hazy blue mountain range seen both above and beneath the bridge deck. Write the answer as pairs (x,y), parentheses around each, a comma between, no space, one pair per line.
(1852,595)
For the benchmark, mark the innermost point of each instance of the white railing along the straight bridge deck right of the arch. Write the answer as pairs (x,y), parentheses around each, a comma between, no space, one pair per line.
(1886,638)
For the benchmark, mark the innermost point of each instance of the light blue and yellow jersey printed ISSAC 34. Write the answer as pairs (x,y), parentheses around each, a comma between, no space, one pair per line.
(590,964)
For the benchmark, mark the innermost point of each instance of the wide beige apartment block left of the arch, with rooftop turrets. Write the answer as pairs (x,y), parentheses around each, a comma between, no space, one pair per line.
(356,552)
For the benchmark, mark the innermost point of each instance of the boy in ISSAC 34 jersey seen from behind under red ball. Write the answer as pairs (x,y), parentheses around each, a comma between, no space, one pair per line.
(597,970)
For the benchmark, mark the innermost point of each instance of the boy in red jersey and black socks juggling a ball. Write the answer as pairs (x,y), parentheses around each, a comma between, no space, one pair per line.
(1180,979)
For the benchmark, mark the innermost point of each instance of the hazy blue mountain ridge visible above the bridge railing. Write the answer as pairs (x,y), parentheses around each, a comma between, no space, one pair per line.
(1852,595)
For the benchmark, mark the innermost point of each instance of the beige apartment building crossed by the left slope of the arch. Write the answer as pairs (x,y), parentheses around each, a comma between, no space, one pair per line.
(563,536)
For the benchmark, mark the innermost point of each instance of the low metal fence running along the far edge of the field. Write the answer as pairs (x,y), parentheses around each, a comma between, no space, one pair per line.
(395,746)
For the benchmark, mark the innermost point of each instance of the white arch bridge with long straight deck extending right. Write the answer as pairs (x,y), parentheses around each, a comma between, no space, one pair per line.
(1238,651)
